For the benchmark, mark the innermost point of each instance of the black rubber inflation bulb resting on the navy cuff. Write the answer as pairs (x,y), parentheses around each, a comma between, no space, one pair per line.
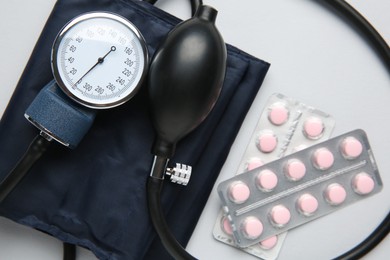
(185,79)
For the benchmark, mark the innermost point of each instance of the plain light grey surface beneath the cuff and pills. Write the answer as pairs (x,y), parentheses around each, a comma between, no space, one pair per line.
(316,58)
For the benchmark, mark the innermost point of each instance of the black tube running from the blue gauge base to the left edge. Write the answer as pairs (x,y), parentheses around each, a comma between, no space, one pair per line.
(36,149)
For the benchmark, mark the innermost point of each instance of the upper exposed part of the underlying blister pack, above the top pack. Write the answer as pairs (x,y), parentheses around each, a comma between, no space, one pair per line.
(286,125)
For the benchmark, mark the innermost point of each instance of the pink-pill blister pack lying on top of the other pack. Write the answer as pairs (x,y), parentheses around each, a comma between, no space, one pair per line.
(335,173)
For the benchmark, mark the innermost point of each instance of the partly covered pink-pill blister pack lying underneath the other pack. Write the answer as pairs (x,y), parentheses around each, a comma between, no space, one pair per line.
(285,125)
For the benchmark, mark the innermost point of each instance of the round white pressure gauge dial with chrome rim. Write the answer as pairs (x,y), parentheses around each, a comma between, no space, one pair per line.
(99,60)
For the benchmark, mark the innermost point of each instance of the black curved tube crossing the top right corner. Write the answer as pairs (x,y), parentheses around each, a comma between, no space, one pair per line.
(367,29)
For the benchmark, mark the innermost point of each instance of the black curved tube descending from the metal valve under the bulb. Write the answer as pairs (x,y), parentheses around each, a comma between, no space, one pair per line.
(154,187)
